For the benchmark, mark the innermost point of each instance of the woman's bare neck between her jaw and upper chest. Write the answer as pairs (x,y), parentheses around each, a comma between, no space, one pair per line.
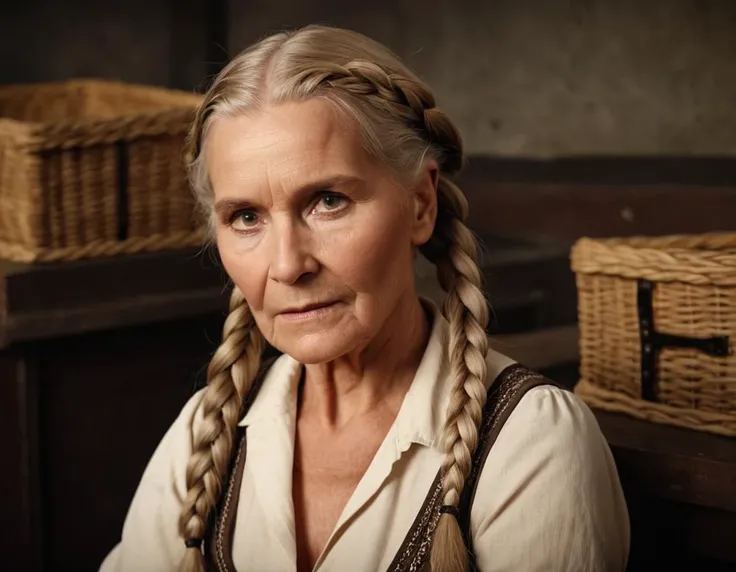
(370,380)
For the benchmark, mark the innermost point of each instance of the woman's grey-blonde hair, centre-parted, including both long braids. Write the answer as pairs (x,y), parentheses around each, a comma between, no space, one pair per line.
(401,126)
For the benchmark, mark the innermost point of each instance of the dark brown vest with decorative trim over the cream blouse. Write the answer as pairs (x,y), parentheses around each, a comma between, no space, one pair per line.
(413,555)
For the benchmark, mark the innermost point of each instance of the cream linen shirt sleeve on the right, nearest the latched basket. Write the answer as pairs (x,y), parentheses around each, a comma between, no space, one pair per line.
(549,497)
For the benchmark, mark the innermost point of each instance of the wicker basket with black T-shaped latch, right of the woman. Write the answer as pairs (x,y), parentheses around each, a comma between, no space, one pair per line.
(657,321)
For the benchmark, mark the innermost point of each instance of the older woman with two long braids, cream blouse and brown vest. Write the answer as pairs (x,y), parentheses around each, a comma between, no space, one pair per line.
(386,436)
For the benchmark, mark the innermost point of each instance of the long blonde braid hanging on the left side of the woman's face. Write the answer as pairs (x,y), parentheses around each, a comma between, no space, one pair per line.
(229,377)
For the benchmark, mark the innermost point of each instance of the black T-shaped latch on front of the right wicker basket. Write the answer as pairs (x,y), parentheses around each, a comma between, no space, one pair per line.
(653,341)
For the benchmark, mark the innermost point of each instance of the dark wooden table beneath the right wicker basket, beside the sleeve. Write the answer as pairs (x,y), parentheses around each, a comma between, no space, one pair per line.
(680,487)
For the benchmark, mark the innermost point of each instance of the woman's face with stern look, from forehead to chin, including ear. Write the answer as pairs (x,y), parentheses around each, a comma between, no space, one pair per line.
(317,235)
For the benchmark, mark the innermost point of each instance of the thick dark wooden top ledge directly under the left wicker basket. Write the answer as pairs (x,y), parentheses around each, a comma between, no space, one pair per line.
(51,300)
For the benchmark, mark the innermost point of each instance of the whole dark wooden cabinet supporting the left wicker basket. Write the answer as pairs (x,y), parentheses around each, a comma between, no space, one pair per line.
(97,359)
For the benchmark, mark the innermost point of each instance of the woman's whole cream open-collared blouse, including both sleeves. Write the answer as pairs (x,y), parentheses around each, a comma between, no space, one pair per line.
(548,497)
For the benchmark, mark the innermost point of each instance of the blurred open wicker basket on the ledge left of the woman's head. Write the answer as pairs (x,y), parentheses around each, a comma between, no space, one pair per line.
(93,168)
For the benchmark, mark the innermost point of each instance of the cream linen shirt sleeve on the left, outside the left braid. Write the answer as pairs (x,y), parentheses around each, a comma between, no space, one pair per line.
(150,541)
